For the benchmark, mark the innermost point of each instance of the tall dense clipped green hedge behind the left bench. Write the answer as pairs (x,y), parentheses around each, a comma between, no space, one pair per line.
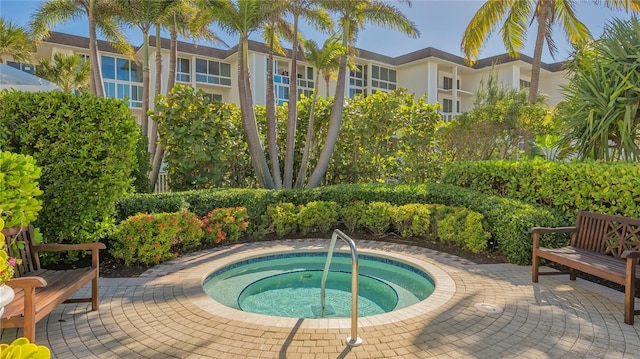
(86,147)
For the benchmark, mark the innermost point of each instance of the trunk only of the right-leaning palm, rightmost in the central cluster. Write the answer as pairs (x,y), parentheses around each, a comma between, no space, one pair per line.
(334,120)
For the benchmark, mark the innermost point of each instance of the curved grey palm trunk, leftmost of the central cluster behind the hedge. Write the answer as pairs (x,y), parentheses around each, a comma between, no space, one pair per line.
(258,158)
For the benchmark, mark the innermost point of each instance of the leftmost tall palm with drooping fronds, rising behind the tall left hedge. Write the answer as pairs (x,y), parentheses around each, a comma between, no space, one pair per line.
(100,15)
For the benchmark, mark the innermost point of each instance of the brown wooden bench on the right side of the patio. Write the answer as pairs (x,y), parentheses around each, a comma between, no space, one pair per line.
(602,245)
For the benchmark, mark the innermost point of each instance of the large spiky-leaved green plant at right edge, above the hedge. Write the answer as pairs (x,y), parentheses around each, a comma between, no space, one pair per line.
(602,120)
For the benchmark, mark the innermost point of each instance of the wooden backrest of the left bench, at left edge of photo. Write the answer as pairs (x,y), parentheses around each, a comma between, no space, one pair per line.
(19,241)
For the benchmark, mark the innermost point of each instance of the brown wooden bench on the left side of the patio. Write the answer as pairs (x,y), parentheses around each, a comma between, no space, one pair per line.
(38,291)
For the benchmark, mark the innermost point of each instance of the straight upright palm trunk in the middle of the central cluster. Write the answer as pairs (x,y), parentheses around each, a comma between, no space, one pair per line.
(293,108)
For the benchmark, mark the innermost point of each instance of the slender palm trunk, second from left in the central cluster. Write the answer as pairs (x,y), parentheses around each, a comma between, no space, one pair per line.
(272,133)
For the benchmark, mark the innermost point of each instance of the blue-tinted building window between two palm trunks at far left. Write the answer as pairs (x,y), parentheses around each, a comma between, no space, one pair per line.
(122,79)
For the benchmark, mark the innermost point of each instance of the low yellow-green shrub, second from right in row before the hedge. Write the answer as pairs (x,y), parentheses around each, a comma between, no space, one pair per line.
(412,220)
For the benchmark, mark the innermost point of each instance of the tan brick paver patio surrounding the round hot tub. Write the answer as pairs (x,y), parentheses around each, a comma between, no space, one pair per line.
(484,311)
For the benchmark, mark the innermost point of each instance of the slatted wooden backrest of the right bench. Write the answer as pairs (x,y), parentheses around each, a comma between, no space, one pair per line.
(605,233)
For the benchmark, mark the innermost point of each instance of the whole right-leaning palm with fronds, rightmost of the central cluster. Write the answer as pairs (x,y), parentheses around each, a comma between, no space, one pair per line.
(352,15)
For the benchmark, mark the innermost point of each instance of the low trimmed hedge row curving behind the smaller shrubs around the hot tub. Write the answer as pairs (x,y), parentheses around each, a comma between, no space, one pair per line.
(509,220)
